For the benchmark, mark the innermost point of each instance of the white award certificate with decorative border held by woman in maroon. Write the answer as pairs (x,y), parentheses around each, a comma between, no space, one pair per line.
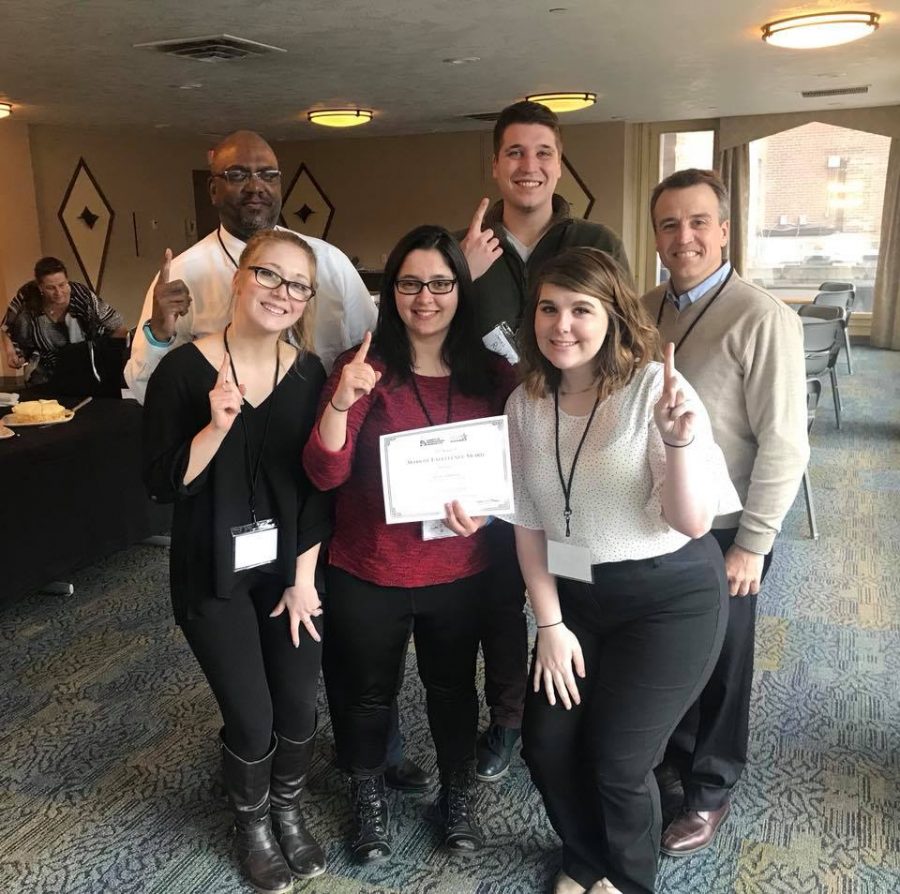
(424,468)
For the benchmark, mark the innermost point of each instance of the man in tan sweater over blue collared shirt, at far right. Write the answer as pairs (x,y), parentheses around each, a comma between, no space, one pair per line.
(742,350)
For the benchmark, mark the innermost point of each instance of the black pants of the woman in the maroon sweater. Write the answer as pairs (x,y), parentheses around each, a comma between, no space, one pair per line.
(366,633)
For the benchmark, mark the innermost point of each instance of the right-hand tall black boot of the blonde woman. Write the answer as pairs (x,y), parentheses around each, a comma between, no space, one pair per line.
(289,774)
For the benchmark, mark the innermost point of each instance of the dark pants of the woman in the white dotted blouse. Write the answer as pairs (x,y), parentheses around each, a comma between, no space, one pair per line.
(650,631)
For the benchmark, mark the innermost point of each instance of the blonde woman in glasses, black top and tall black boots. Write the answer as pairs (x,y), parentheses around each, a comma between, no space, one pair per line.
(226,418)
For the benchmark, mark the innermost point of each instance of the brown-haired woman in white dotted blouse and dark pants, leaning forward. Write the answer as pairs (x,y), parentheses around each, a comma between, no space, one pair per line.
(617,483)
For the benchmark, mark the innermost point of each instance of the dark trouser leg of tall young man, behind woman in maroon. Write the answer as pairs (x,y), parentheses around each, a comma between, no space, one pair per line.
(504,631)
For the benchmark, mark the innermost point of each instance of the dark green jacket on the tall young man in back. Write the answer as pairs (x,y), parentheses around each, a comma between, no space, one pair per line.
(503,290)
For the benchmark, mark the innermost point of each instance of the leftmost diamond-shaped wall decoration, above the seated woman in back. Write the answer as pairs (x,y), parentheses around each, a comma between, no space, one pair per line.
(86,219)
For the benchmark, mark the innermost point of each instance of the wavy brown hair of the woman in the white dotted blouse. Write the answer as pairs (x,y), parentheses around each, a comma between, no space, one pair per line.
(631,339)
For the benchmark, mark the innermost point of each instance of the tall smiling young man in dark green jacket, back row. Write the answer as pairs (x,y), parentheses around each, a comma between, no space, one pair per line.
(505,246)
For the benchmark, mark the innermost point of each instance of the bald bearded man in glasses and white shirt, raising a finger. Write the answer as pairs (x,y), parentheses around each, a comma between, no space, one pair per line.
(191,295)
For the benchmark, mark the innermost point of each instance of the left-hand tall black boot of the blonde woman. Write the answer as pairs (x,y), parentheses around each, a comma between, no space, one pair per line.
(256,848)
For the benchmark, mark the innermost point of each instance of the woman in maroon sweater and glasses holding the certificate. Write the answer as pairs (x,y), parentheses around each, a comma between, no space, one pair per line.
(425,365)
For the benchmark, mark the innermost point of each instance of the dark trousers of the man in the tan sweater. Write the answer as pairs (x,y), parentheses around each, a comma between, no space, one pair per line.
(709,746)
